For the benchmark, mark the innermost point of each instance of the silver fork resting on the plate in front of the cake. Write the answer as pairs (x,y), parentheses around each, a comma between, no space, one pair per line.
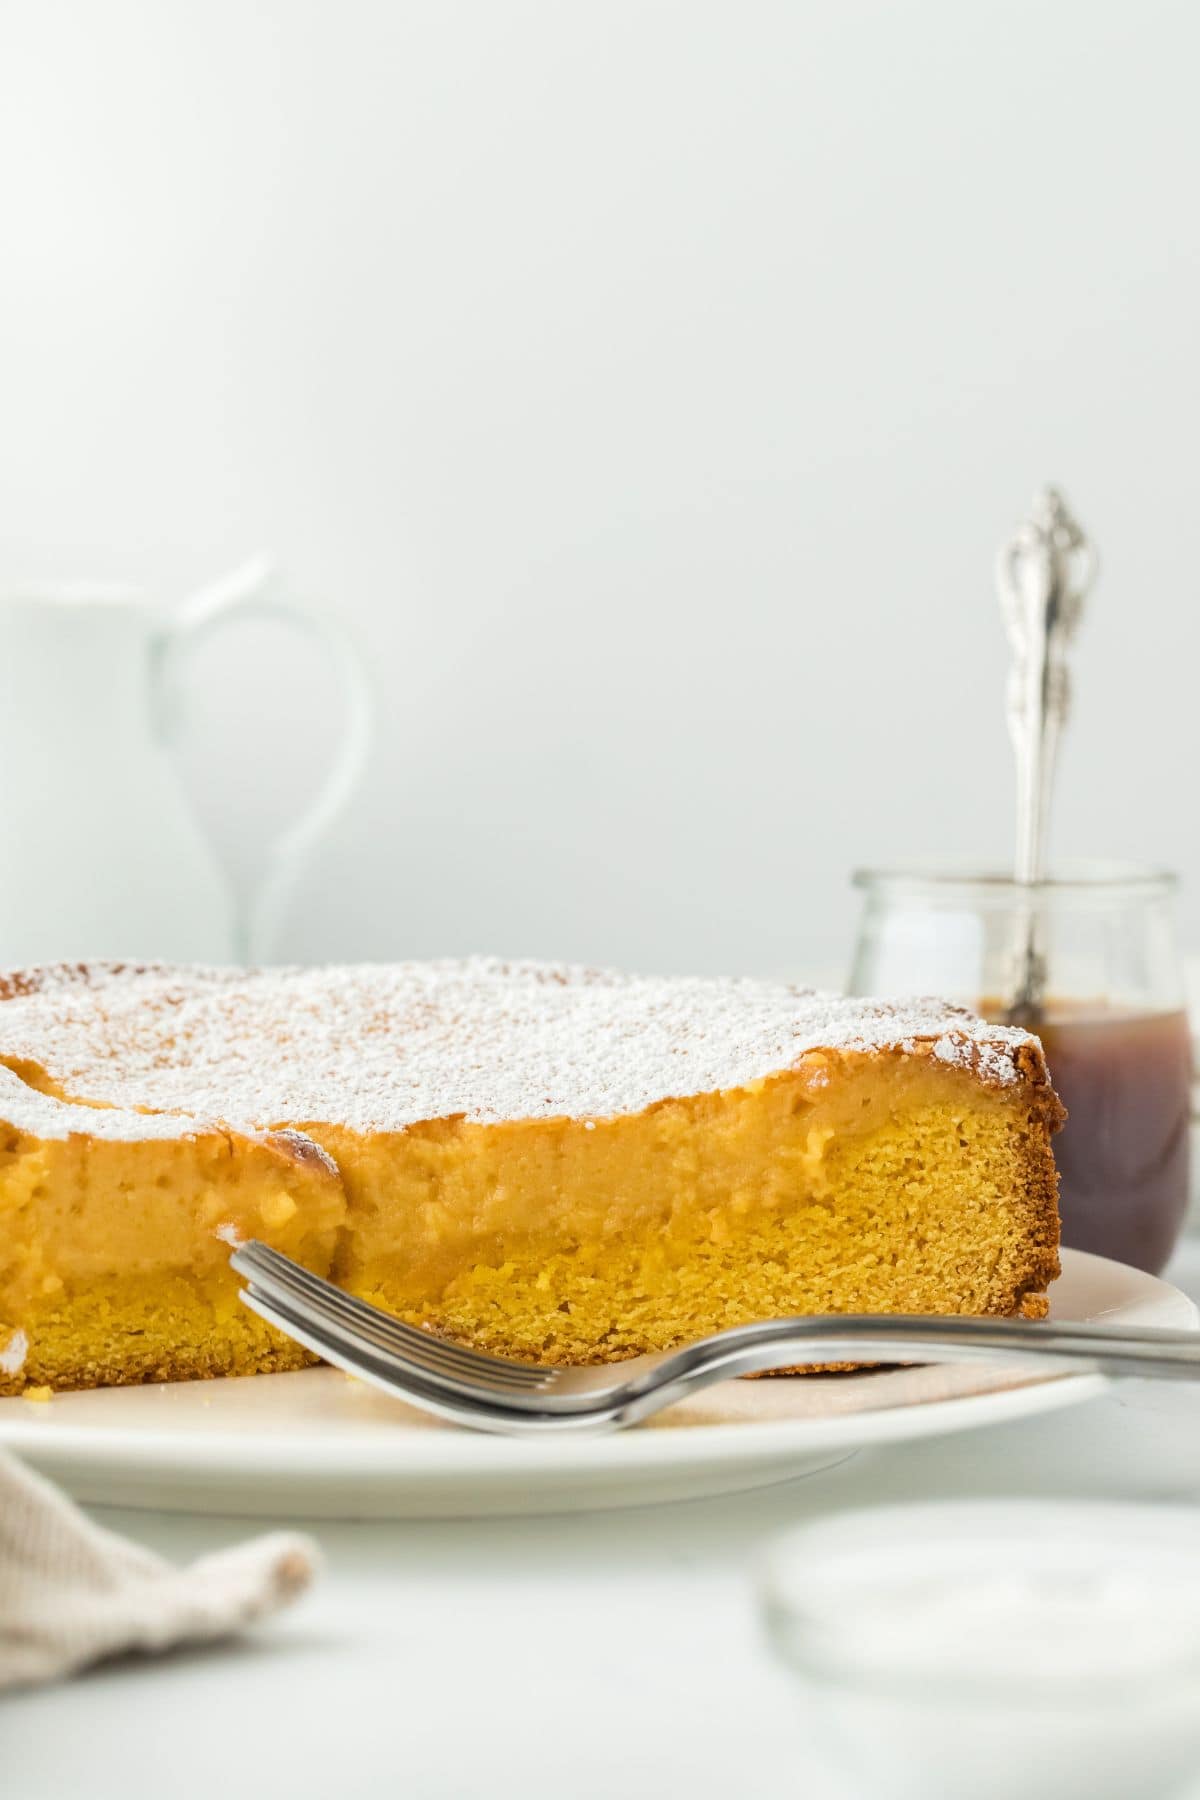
(492,1394)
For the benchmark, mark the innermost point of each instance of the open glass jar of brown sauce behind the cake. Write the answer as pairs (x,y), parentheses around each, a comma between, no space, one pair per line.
(1115,1021)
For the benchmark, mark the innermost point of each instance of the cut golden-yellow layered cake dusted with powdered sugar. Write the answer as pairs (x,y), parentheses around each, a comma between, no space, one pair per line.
(551,1164)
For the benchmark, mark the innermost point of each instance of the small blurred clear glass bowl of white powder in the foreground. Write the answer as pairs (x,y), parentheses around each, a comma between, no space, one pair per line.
(996,1648)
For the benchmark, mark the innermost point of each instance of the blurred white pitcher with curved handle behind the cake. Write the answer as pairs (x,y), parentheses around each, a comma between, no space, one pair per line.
(100,849)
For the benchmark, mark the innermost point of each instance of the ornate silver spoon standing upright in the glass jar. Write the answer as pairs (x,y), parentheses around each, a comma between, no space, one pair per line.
(1044,575)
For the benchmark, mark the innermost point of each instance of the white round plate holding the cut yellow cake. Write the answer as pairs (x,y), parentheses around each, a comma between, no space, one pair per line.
(316,1444)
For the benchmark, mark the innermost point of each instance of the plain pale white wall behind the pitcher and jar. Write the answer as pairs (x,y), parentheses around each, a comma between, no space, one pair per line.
(647,386)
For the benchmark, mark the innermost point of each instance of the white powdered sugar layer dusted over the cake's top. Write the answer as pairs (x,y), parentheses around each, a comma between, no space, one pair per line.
(161,1052)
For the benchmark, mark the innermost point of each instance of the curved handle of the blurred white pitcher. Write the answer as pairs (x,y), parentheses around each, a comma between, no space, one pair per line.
(256,591)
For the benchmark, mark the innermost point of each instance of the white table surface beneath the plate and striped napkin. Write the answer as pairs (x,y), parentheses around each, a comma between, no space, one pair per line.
(578,1659)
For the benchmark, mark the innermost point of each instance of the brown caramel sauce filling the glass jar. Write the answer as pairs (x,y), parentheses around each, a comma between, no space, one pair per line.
(1124,1155)
